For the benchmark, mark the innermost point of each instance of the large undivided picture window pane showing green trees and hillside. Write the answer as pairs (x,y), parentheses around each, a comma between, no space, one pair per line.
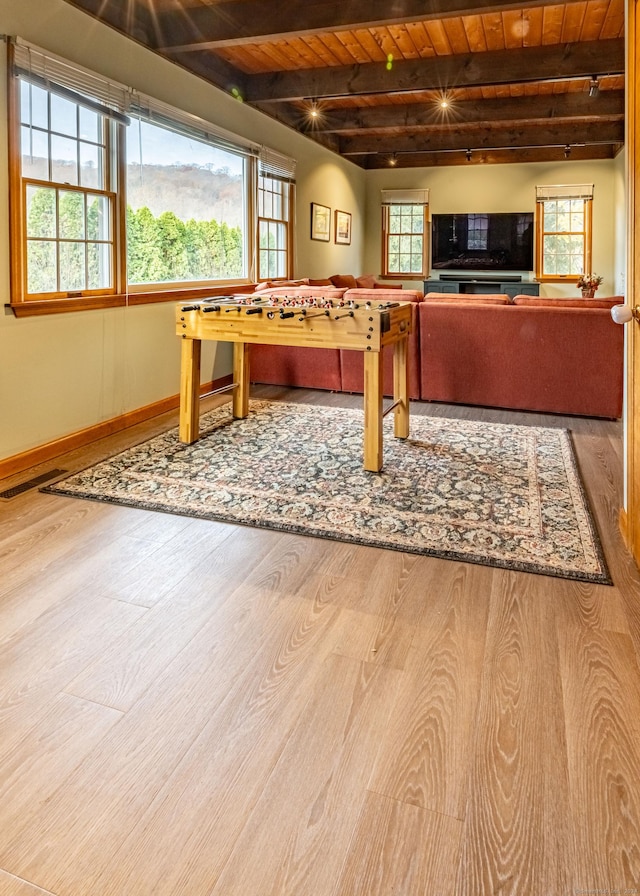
(186,208)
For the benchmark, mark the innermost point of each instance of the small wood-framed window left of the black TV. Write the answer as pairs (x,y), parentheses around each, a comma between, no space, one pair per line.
(405,244)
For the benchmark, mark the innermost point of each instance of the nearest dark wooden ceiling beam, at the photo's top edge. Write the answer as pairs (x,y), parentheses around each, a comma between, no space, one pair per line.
(241,22)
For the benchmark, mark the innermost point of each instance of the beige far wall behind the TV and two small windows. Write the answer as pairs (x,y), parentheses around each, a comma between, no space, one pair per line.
(507,188)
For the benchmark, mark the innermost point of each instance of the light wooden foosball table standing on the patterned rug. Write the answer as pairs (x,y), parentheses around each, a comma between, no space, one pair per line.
(313,323)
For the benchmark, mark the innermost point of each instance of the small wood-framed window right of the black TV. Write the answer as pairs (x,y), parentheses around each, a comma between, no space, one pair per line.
(563,231)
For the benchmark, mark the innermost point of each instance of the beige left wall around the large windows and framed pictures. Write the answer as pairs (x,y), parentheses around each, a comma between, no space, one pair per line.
(65,373)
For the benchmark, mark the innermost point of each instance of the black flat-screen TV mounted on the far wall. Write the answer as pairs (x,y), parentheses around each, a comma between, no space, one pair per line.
(495,241)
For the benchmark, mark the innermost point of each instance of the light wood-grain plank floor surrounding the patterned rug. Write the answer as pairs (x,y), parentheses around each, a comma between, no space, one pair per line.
(198,709)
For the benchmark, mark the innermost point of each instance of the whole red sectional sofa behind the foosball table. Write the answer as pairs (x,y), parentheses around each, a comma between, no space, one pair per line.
(530,353)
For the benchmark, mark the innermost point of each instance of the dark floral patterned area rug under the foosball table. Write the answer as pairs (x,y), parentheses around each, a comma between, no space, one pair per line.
(495,494)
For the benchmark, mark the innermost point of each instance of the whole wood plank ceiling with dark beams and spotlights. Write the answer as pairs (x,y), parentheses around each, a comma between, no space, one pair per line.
(534,82)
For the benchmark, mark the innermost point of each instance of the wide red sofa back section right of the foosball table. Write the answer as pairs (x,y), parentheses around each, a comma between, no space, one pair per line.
(551,355)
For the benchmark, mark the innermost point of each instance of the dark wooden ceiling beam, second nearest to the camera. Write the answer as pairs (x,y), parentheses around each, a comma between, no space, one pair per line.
(550,62)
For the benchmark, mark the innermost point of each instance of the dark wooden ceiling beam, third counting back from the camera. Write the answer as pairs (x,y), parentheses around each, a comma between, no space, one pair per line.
(609,104)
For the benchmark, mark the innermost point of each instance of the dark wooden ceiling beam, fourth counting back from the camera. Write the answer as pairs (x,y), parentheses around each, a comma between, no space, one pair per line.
(487,137)
